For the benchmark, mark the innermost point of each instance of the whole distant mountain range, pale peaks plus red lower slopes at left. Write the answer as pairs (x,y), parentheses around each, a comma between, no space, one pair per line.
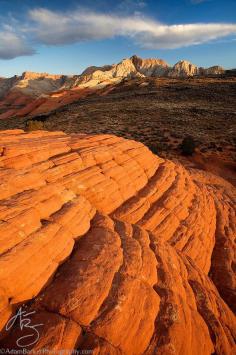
(20,95)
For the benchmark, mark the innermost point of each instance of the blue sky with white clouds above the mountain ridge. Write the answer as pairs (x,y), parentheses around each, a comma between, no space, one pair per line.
(67,36)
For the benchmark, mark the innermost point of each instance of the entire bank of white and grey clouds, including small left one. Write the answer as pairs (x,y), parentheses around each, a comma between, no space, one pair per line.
(55,28)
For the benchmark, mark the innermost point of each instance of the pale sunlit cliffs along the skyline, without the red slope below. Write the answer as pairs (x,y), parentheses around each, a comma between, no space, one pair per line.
(41,83)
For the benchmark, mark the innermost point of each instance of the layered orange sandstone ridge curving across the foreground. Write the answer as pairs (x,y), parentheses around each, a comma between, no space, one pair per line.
(112,248)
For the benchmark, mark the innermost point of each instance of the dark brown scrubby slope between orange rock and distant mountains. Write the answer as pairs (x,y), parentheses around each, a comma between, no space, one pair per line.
(152,116)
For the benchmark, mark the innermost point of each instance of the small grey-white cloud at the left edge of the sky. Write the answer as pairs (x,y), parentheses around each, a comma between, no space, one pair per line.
(12,45)
